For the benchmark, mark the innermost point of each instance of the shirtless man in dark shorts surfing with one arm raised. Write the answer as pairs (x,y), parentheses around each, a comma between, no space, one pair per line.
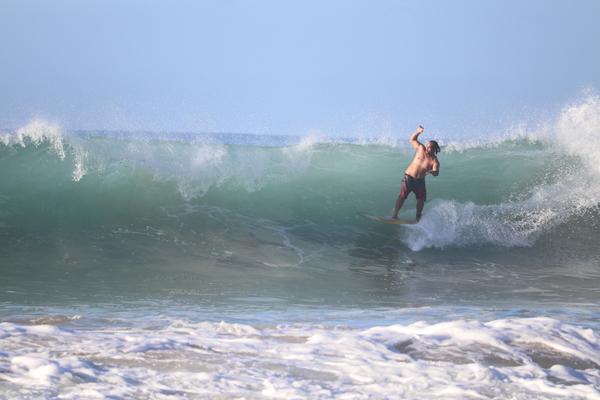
(425,162)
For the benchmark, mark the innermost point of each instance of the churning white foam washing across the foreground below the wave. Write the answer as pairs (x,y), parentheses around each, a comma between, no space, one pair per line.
(523,358)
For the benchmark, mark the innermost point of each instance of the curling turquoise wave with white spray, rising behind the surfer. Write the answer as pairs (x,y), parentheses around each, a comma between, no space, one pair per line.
(504,191)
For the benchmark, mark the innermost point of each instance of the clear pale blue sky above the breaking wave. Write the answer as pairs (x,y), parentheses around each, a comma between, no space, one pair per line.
(291,67)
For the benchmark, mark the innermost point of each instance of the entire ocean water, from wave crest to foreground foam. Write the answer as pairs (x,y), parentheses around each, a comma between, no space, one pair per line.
(186,265)
